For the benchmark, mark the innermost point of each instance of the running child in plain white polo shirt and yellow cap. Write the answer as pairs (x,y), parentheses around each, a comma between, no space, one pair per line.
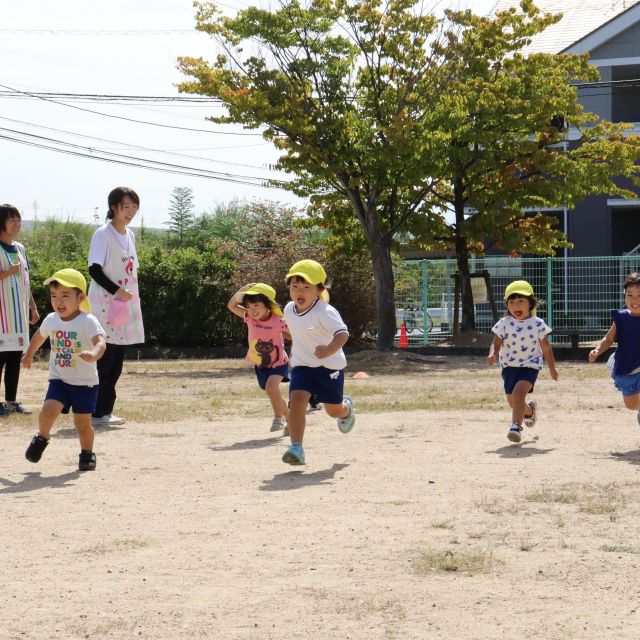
(317,360)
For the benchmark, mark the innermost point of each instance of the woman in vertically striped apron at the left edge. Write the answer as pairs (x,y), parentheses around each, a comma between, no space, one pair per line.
(17,306)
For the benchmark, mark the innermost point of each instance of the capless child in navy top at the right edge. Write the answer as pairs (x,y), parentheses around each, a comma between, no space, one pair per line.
(625,330)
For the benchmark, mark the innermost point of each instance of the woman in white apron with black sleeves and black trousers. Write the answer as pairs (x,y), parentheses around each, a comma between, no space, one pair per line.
(114,297)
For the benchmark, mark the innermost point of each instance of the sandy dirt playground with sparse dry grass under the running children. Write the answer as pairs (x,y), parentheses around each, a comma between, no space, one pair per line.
(423,523)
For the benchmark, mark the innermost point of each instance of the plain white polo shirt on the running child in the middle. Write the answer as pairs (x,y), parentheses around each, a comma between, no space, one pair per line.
(316,326)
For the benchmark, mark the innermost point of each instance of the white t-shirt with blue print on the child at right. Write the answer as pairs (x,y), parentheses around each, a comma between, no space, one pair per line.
(521,341)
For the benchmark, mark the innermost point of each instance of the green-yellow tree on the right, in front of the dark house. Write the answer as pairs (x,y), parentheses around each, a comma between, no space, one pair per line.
(512,138)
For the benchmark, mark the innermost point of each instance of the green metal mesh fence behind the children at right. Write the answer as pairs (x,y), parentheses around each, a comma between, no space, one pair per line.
(576,294)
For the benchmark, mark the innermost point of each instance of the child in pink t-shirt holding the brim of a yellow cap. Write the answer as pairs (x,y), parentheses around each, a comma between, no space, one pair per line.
(256,304)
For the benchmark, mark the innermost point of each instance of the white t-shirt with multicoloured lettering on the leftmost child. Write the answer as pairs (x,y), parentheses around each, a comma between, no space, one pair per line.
(68,338)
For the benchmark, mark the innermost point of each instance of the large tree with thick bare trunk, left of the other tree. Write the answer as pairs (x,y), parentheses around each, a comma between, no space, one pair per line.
(343,89)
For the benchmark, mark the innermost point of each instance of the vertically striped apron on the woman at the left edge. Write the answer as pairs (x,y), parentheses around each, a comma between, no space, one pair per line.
(15,294)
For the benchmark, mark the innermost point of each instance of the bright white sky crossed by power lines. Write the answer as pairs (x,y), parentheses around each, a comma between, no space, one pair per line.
(121,47)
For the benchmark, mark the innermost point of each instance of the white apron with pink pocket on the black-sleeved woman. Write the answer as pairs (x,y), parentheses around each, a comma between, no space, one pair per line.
(121,269)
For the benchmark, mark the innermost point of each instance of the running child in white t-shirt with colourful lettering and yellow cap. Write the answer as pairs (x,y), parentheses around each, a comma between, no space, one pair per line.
(77,342)
